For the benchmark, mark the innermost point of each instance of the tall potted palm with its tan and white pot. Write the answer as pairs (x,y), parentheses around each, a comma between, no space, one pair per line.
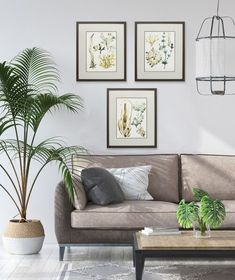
(28,87)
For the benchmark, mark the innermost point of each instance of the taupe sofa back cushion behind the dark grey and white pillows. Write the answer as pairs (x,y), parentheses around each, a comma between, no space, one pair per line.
(163,178)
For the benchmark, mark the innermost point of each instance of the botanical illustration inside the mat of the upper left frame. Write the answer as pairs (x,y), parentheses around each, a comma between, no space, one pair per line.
(101,51)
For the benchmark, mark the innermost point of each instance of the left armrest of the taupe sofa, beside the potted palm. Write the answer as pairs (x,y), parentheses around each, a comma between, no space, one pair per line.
(63,209)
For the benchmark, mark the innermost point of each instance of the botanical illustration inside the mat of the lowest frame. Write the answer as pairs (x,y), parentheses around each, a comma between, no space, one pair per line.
(131,118)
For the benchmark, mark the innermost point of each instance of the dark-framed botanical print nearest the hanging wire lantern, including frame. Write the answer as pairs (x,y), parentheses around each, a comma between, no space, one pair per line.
(159,51)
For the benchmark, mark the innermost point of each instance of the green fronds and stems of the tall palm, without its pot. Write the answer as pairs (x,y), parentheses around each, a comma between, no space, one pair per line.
(28,86)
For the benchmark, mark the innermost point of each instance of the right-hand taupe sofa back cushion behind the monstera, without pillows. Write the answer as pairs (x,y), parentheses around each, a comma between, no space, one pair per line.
(213,173)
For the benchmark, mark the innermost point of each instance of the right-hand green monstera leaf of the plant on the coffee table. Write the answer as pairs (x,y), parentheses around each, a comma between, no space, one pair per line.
(212,212)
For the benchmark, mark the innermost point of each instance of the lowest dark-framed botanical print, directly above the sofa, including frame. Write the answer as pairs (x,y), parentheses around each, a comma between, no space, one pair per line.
(131,118)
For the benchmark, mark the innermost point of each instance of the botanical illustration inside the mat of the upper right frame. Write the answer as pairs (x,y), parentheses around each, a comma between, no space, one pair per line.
(159,51)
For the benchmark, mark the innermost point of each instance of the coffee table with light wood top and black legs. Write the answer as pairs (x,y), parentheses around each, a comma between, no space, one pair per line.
(220,244)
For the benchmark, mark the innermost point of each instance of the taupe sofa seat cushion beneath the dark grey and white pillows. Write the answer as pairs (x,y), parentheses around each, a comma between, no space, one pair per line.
(126,215)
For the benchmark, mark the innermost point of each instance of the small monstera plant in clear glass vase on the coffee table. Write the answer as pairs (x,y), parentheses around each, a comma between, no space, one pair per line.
(202,214)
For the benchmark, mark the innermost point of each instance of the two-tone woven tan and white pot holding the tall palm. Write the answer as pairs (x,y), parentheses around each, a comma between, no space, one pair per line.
(23,238)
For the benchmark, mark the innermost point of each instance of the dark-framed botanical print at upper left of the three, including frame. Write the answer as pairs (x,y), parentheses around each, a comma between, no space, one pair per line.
(101,51)
